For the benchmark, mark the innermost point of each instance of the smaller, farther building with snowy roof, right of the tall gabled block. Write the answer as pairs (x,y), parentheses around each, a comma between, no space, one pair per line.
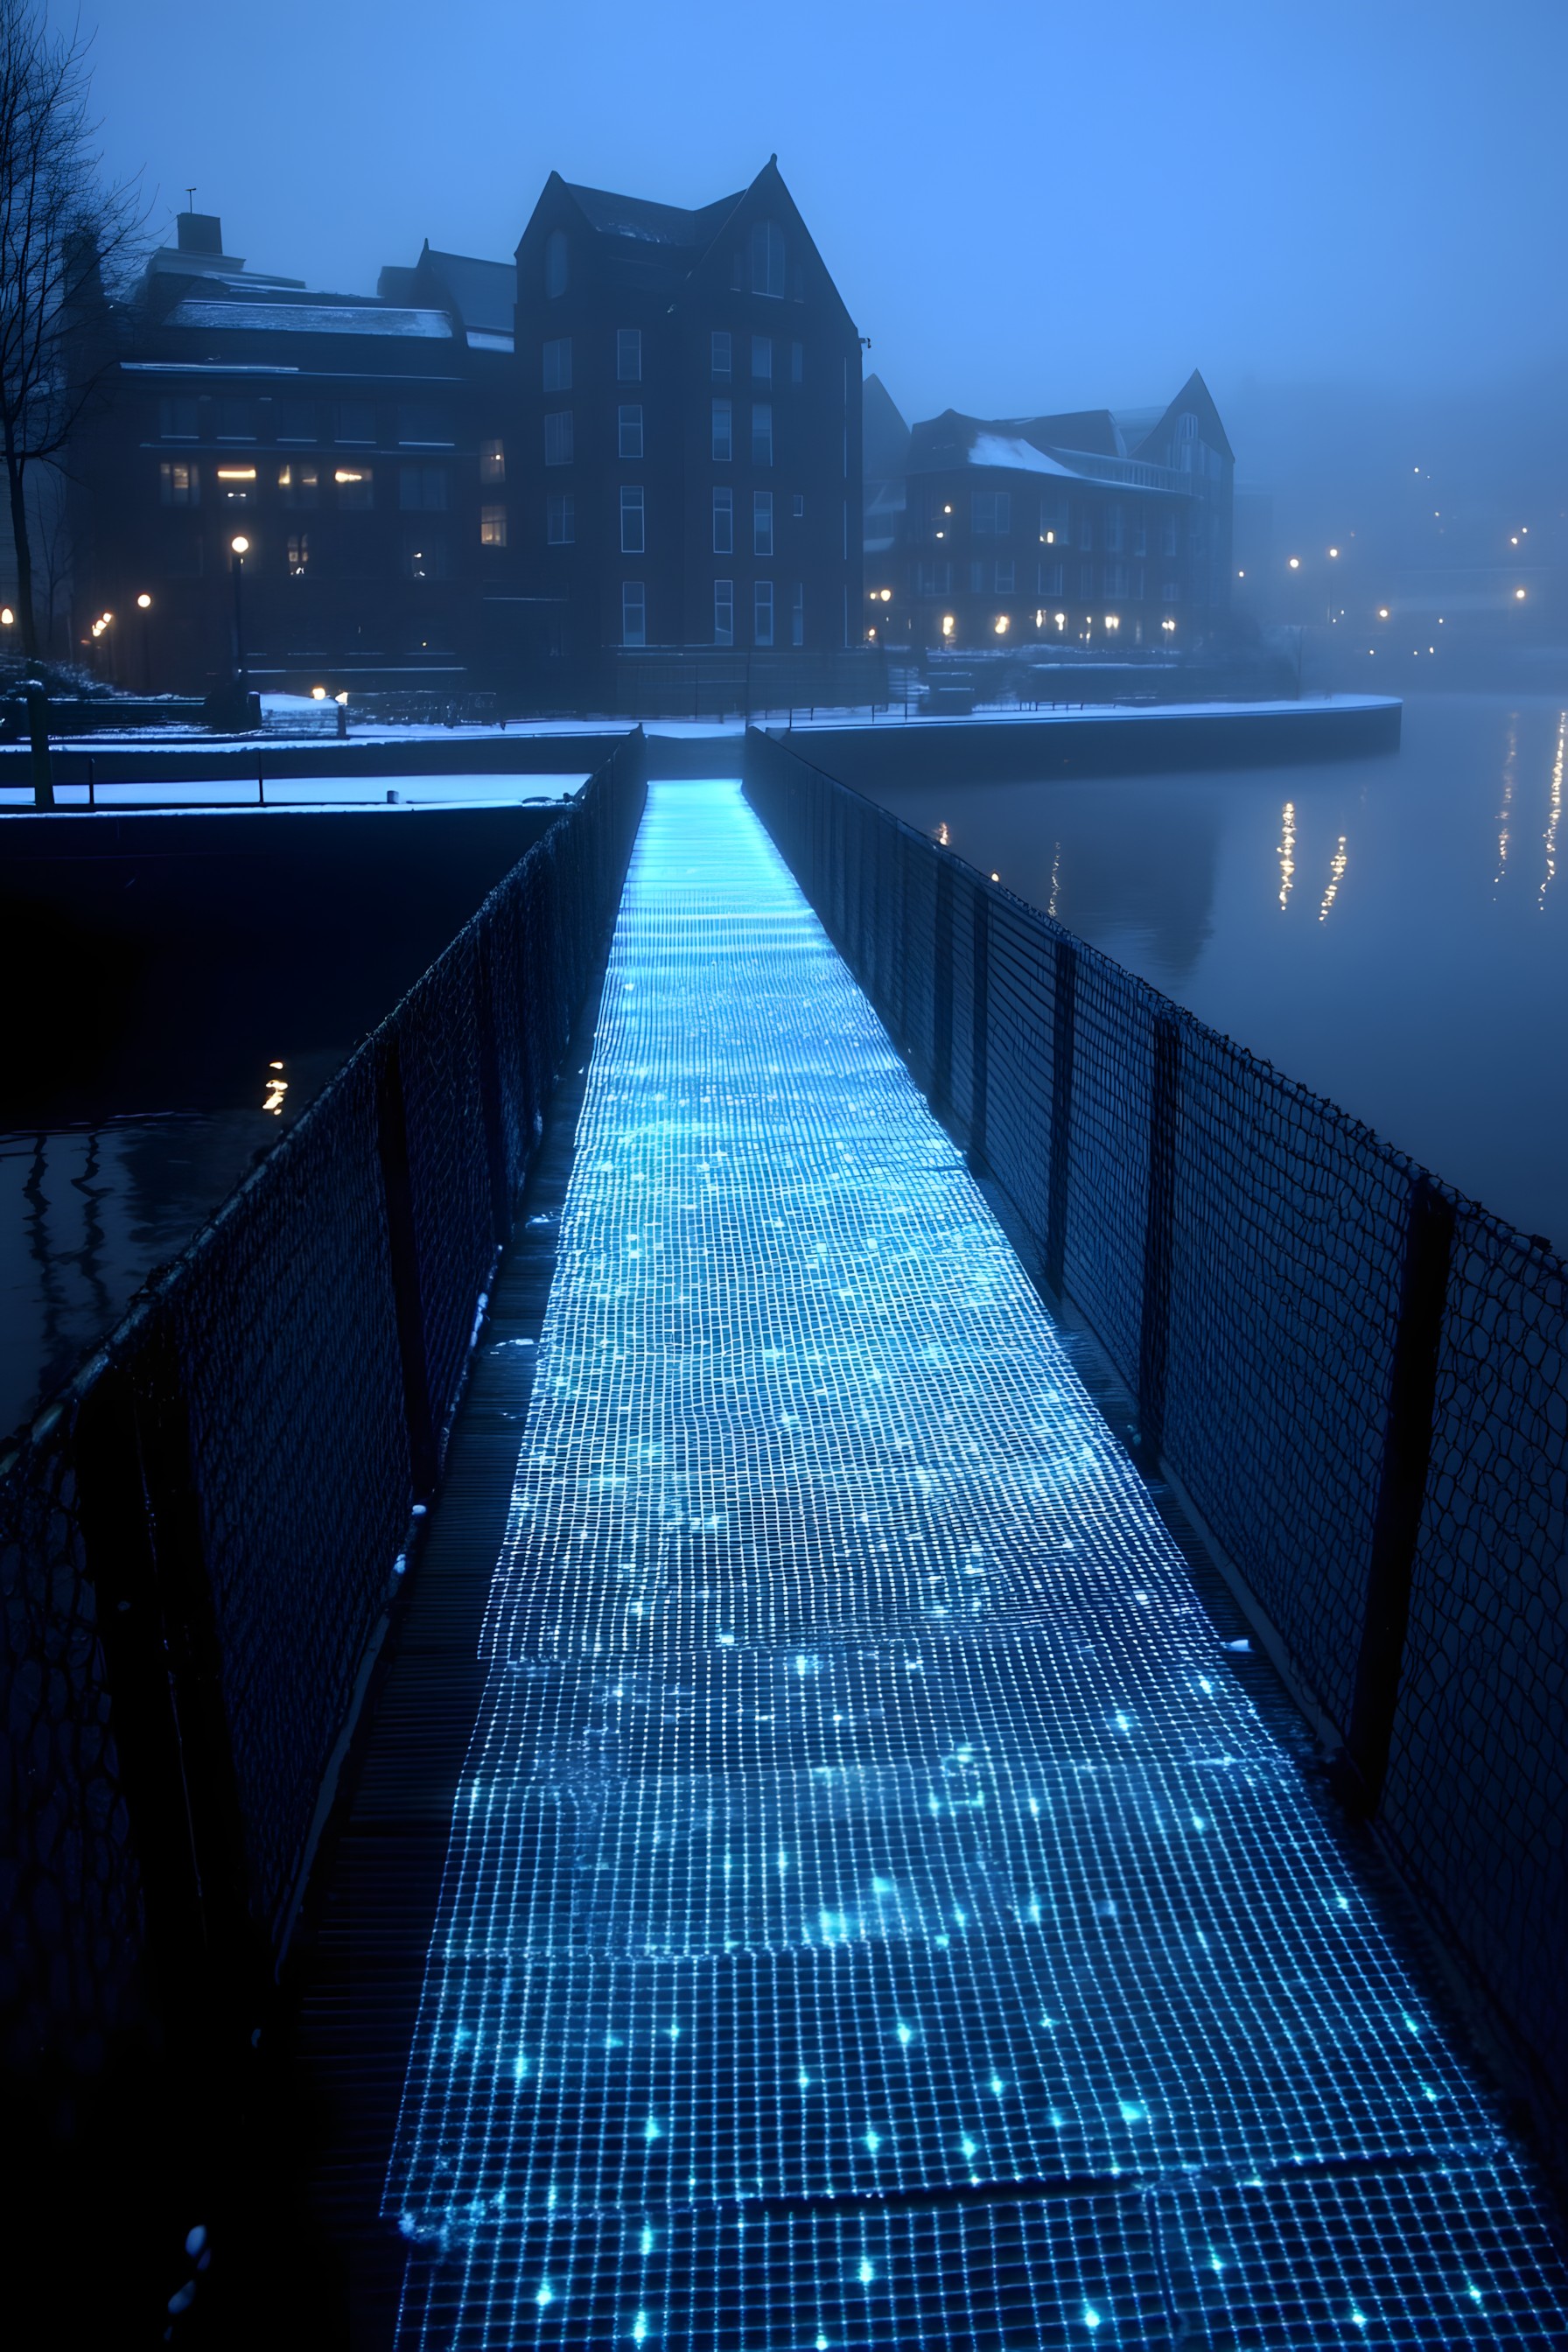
(1087,530)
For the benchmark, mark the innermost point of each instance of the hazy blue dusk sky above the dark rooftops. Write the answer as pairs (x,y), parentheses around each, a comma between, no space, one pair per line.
(1024,208)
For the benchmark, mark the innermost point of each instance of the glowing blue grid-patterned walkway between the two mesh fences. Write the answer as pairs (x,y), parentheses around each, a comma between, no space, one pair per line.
(873,1911)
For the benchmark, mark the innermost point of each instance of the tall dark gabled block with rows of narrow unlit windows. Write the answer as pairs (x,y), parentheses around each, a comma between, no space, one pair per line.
(688,427)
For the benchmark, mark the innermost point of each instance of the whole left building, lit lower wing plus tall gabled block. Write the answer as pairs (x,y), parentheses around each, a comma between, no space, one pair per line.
(641,434)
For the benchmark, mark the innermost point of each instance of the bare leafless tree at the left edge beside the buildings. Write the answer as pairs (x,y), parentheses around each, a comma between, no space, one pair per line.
(65,239)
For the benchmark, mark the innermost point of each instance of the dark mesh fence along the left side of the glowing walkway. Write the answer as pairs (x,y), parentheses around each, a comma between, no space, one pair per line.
(201,1532)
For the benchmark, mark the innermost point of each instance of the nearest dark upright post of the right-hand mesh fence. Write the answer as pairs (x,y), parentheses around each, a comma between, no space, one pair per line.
(1402,1488)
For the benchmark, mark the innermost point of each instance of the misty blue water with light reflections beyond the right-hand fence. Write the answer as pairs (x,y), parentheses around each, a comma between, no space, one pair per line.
(1393,933)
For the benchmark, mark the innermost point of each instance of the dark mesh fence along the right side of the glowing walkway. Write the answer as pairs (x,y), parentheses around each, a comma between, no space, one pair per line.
(1355,1377)
